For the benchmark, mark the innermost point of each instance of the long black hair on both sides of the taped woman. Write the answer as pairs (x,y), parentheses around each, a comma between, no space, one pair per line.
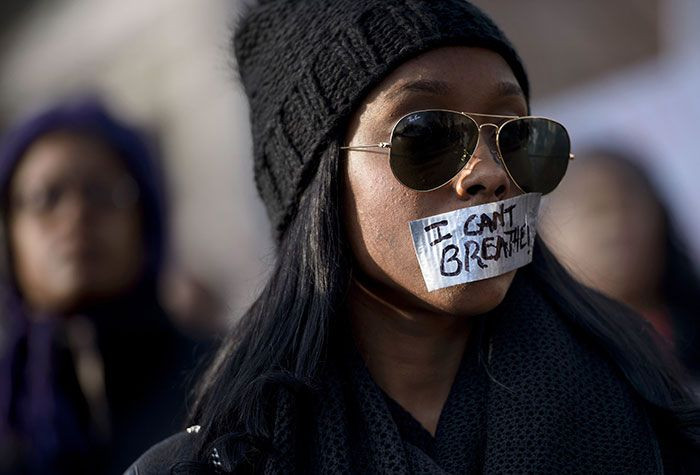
(284,338)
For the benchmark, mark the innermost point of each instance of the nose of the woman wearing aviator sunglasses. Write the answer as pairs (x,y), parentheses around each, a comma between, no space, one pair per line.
(483,179)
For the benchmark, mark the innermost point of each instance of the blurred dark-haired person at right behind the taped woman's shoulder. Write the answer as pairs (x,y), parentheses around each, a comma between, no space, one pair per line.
(608,224)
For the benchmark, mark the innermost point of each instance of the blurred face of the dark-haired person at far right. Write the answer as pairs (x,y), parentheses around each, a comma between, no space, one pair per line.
(624,257)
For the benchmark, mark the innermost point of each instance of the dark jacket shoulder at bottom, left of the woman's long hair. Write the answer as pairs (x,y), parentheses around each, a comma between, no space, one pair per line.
(176,454)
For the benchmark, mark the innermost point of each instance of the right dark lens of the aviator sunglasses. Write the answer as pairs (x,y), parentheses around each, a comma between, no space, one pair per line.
(535,152)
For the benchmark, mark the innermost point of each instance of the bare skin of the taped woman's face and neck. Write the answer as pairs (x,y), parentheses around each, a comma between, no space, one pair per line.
(412,340)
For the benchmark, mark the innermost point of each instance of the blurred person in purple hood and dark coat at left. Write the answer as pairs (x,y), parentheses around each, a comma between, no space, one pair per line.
(89,363)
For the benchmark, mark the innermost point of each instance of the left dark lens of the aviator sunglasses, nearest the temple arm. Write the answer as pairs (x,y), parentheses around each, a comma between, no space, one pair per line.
(428,148)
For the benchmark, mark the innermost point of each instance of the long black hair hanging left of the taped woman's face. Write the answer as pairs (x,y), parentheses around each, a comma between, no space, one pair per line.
(283,338)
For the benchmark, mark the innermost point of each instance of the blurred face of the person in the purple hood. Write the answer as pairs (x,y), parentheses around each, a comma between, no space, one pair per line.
(75,253)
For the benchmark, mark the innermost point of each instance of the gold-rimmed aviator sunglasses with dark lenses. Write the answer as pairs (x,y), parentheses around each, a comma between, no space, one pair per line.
(428,148)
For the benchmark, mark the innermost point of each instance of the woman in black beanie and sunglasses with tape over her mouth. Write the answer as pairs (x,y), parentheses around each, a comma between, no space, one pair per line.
(346,363)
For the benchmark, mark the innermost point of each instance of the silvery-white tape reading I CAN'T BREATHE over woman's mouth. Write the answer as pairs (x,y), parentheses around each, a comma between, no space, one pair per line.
(476,243)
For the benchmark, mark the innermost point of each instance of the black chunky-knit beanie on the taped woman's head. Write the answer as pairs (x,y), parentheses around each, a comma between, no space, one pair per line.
(307,64)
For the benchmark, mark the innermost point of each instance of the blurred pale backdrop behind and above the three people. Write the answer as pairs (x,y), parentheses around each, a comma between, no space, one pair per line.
(623,72)
